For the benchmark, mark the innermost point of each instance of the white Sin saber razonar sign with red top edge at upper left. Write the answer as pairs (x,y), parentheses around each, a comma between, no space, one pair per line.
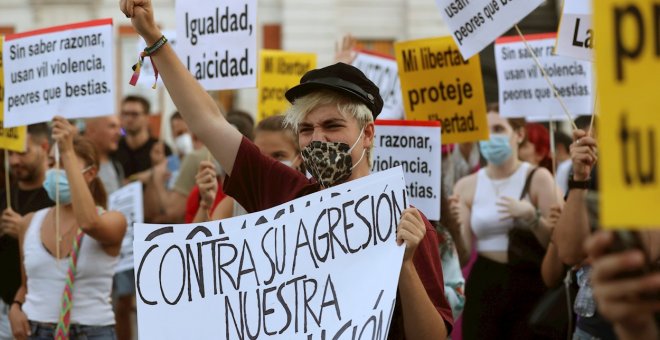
(64,70)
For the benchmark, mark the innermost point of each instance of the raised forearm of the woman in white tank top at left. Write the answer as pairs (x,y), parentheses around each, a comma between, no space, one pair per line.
(84,207)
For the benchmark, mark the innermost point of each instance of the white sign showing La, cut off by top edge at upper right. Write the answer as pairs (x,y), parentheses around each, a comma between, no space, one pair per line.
(575,37)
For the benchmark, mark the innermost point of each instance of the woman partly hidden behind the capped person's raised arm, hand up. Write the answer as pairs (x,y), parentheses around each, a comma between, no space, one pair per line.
(274,140)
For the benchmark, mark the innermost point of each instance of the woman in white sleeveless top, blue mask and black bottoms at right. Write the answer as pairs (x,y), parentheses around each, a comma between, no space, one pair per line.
(503,203)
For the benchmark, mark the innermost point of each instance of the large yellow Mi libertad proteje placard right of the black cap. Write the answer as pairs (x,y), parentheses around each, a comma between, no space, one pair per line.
(438,84)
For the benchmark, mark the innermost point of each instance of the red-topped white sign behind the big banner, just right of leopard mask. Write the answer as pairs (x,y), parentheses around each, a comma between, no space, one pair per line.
(416,147)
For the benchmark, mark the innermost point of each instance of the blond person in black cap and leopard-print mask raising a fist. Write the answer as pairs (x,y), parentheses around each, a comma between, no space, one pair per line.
(333,111)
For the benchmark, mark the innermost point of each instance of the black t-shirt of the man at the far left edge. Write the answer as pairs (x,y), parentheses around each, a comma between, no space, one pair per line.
(23,202)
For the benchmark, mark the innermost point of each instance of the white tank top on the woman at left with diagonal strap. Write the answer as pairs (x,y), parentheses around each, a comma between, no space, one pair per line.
(46,279)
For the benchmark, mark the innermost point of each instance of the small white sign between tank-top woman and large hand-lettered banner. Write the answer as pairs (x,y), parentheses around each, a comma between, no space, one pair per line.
(127,201)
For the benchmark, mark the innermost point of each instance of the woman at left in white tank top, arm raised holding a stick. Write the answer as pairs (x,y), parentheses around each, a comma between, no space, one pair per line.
(69,253)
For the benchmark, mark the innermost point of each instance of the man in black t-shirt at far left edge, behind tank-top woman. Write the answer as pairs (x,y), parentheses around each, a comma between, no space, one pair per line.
(27,195)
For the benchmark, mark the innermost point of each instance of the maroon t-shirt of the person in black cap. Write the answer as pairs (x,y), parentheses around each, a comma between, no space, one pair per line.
(259,182)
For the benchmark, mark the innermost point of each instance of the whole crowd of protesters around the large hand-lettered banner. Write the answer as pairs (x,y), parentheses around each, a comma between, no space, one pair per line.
(518,252)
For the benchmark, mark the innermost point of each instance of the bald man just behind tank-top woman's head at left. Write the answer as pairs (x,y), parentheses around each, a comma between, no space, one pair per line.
(105,133)
